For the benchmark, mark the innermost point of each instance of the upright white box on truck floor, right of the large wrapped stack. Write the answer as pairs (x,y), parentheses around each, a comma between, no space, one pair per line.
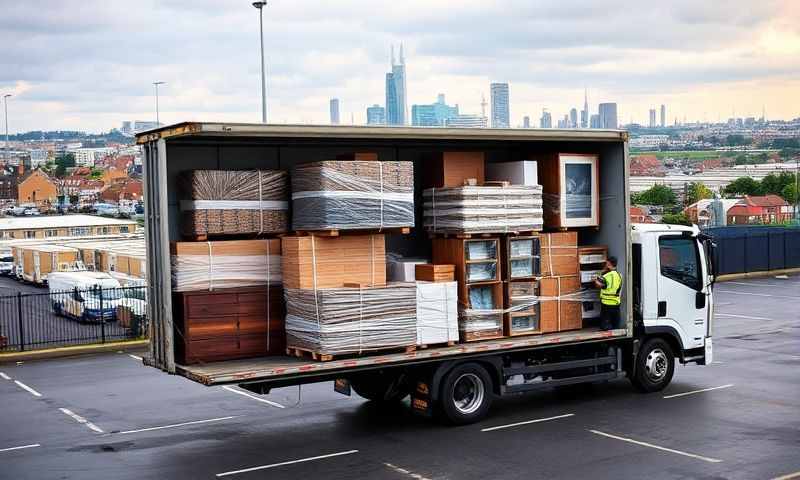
(437,312)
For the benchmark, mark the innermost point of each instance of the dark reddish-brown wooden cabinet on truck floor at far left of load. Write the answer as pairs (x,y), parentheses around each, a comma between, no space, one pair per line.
(228,324)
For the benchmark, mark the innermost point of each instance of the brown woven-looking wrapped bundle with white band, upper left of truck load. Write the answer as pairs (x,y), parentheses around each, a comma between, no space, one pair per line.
(232,202)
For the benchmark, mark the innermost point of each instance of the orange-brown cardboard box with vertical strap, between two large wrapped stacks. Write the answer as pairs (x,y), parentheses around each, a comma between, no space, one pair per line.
(335,260)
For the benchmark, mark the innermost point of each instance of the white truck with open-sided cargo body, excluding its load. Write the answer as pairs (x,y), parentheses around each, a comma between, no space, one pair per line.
(667,276)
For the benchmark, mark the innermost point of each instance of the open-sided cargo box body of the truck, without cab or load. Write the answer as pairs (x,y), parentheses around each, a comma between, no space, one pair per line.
(188,146)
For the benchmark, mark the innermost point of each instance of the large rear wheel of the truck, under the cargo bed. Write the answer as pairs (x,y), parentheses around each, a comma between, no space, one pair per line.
(466,394)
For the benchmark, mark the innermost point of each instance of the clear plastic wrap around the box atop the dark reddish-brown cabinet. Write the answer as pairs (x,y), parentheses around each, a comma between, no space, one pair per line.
(210,272)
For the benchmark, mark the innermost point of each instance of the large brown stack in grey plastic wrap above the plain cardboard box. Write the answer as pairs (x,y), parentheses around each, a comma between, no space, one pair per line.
(348,195)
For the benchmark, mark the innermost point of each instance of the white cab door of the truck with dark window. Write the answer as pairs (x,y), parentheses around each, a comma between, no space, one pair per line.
(682,293)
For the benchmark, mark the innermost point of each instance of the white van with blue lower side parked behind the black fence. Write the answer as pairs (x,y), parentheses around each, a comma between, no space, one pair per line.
(79,295)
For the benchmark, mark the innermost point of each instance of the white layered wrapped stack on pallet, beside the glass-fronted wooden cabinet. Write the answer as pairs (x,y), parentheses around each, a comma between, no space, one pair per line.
(483,209)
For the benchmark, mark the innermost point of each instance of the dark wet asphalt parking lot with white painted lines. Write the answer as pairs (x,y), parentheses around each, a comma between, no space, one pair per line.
(107,416)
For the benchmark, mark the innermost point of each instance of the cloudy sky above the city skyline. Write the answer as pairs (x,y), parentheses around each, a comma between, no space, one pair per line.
(89,64)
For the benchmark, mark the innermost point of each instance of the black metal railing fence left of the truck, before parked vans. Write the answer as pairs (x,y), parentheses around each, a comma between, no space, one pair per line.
(31,321)
